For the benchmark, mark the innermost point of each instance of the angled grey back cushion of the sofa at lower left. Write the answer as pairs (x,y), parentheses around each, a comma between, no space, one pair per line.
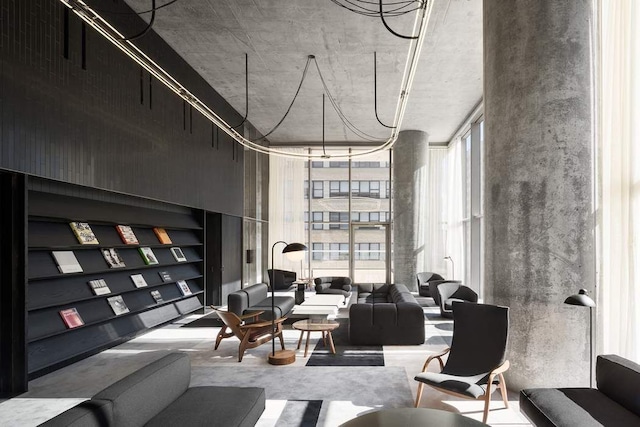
(141,395)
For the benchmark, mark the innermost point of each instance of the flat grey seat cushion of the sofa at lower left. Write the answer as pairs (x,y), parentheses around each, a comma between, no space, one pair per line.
(213,406)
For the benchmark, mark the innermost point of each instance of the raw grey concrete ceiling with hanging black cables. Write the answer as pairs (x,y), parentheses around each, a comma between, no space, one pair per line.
(279,35)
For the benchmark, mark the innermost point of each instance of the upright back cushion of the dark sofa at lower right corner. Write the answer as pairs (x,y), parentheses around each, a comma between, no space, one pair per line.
(619,379)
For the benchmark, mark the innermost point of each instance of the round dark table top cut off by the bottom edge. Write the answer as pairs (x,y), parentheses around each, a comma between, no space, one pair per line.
(410,417)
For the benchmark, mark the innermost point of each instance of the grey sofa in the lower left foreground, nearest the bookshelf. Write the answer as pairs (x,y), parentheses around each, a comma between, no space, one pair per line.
(159,395)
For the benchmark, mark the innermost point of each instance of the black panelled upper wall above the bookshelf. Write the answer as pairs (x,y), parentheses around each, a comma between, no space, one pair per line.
(74,108)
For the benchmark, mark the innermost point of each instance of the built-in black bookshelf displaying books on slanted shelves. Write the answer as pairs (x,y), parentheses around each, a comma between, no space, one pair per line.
(99,304)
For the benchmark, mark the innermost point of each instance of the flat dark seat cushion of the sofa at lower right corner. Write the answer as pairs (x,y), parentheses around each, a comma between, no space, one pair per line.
(584,407)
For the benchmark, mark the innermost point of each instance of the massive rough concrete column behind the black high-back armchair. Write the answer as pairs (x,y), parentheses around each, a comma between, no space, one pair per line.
(539,183)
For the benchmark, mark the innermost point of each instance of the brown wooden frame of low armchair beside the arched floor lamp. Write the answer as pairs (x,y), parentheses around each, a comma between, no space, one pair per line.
(234,325)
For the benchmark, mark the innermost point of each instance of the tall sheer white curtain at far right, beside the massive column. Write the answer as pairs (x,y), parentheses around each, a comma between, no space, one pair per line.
(619,291)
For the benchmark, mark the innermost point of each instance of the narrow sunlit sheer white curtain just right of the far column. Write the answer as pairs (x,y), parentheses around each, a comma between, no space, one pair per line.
(454,211)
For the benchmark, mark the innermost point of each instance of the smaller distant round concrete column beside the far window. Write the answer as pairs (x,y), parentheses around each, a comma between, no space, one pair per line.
(410,163)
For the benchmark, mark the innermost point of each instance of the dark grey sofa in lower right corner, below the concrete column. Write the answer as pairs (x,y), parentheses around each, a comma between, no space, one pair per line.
(615,402)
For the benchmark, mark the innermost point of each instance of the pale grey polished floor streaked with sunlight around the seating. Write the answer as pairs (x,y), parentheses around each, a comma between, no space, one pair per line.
(337,387)
